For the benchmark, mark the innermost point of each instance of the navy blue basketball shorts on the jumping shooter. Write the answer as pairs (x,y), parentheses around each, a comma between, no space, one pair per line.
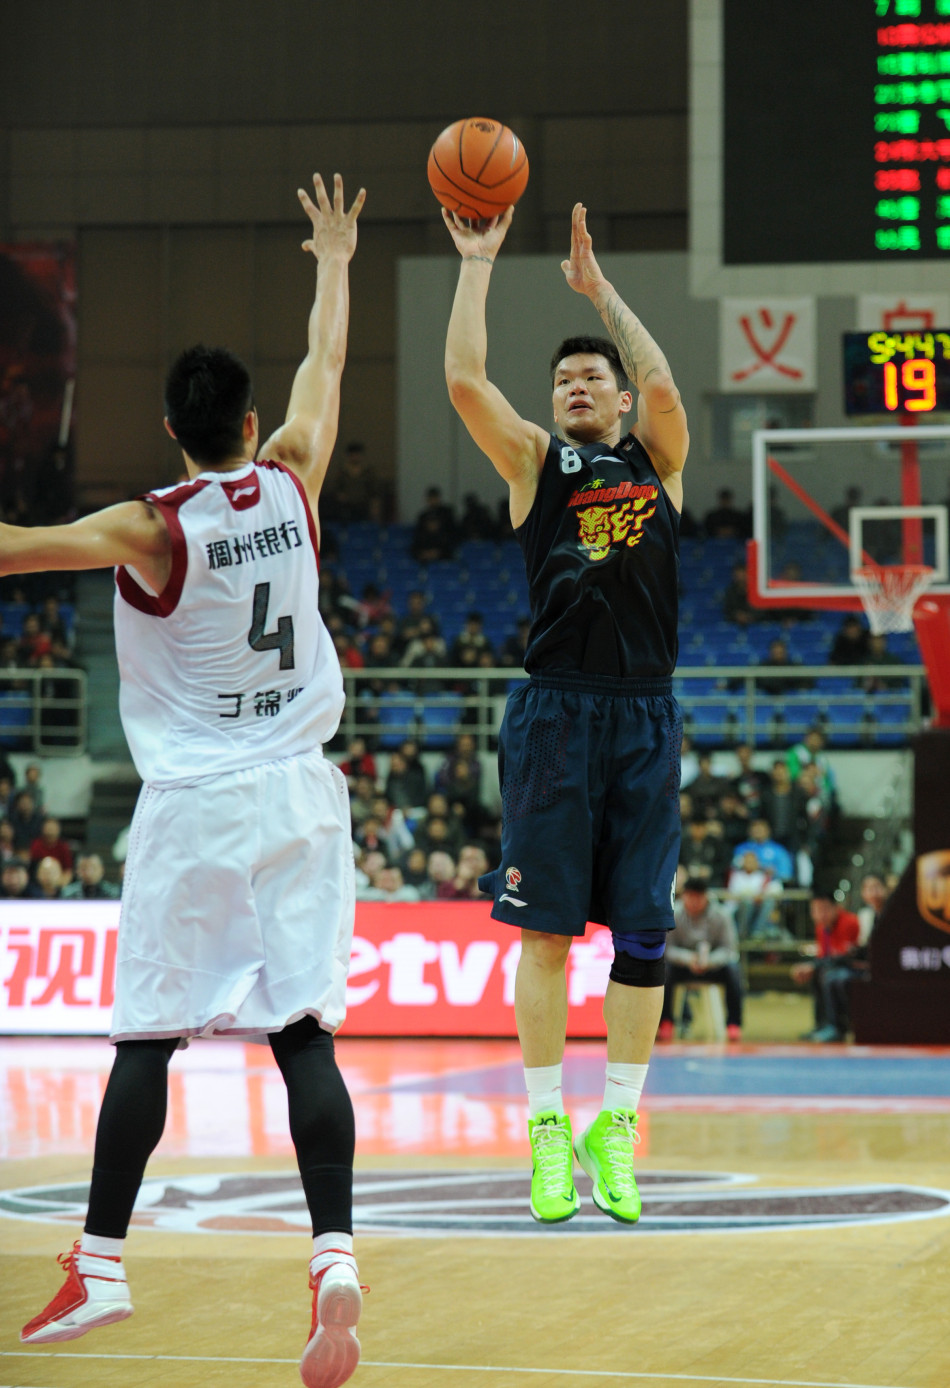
(590,771)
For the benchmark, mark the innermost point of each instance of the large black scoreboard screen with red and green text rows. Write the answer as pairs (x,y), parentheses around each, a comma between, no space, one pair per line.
(835,131)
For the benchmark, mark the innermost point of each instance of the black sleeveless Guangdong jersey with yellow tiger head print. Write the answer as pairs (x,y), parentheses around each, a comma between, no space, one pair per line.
(602,553)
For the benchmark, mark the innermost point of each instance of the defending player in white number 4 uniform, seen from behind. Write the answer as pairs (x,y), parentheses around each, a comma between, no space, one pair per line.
(238,900)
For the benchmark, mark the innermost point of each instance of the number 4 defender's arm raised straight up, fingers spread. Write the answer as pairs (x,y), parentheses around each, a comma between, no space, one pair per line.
(306,441)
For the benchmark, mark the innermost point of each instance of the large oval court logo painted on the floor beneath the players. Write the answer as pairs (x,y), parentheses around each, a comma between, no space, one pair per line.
(487,1203)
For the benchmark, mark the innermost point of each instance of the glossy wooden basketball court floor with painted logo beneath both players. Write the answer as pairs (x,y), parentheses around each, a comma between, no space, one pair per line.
(795,1226)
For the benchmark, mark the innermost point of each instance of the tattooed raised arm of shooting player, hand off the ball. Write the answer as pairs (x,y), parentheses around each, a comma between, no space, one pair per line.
(660,412)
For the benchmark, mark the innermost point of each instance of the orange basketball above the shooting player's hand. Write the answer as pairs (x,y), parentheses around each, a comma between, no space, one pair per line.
(477,169)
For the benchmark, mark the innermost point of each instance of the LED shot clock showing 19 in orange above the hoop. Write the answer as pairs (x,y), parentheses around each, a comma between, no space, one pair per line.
(897,374)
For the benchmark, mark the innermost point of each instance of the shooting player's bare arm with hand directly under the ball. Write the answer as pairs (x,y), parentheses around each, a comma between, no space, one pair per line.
(515,446)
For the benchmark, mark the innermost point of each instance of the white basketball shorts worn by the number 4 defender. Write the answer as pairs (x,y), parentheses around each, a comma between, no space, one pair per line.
(238,904)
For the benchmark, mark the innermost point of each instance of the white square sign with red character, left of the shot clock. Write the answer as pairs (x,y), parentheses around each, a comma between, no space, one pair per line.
(767,346)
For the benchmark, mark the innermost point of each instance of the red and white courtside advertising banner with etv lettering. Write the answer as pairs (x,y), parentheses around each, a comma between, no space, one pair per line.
(437,970)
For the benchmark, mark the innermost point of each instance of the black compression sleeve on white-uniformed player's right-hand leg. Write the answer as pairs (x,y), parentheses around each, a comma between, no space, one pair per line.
(322,1122)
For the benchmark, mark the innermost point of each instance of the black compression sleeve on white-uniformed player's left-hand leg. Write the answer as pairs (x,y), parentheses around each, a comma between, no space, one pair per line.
(131,1124)
